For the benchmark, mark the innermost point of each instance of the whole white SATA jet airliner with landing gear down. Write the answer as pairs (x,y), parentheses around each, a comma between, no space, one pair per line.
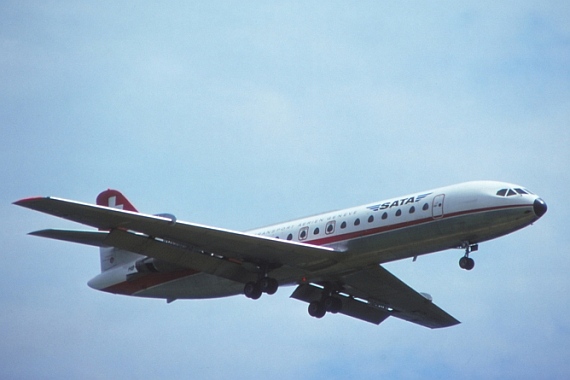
(334,259)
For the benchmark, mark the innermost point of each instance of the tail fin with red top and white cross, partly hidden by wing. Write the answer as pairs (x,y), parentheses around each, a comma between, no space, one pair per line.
(112,257)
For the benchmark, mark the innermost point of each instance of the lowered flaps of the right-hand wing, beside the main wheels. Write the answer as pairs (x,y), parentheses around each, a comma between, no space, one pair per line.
(350,306)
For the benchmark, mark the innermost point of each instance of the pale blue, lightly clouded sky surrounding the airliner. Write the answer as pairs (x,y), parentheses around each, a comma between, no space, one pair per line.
(239,115)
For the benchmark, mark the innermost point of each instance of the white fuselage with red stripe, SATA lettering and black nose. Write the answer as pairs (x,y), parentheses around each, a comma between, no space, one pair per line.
(397,228)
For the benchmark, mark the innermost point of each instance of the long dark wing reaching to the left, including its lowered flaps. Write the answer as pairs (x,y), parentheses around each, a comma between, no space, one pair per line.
(224,253)
